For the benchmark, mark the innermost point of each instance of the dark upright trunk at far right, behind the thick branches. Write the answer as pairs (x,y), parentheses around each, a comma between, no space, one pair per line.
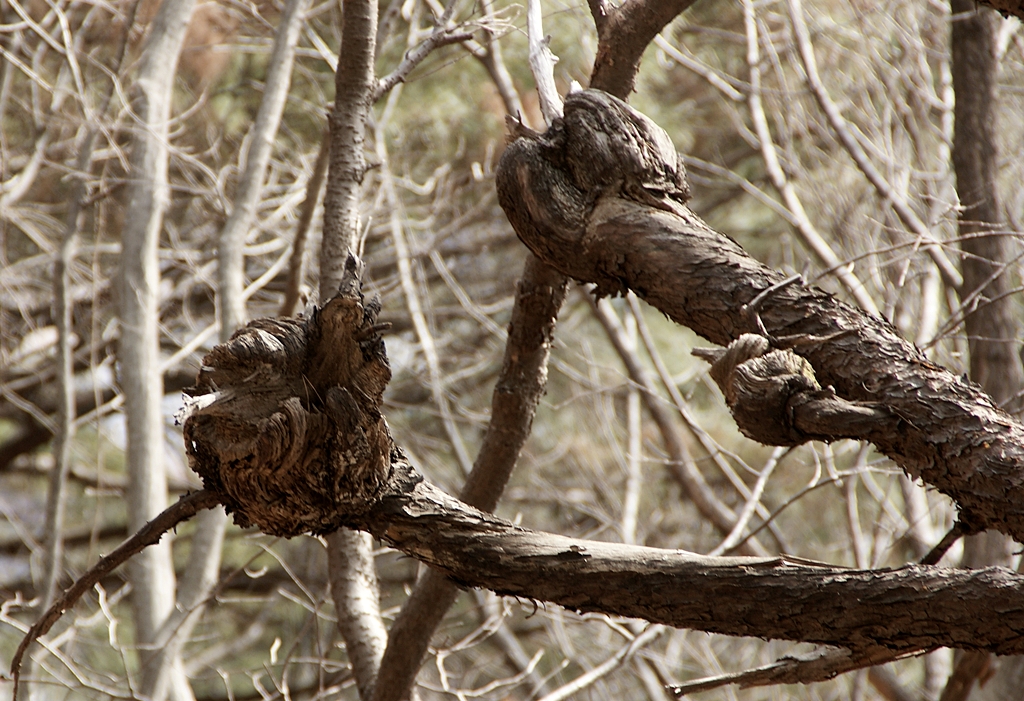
(992,326)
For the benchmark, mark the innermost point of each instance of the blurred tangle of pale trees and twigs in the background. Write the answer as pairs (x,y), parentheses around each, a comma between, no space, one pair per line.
(823,137)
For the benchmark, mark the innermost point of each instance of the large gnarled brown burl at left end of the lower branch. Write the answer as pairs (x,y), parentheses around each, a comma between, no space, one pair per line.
(285,420)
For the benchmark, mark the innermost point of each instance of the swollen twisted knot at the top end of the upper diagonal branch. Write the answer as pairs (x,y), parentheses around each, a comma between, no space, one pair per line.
(601,148)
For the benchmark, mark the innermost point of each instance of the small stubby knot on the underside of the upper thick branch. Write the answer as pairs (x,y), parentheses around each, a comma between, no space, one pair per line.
(776,399)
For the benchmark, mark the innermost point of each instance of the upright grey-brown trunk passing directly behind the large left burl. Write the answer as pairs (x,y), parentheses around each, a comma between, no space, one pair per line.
(352,567)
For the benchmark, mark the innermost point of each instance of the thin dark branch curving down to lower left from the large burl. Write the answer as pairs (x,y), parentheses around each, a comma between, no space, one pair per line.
(151,534)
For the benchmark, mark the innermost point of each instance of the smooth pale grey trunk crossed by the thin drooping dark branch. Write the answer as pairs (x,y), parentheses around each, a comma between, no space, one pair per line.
(152,574)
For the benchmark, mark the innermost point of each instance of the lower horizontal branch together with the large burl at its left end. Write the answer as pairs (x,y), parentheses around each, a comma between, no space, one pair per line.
(903,610)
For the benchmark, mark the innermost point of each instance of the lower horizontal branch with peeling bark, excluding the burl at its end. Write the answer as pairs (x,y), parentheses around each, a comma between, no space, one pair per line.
(909,608)
